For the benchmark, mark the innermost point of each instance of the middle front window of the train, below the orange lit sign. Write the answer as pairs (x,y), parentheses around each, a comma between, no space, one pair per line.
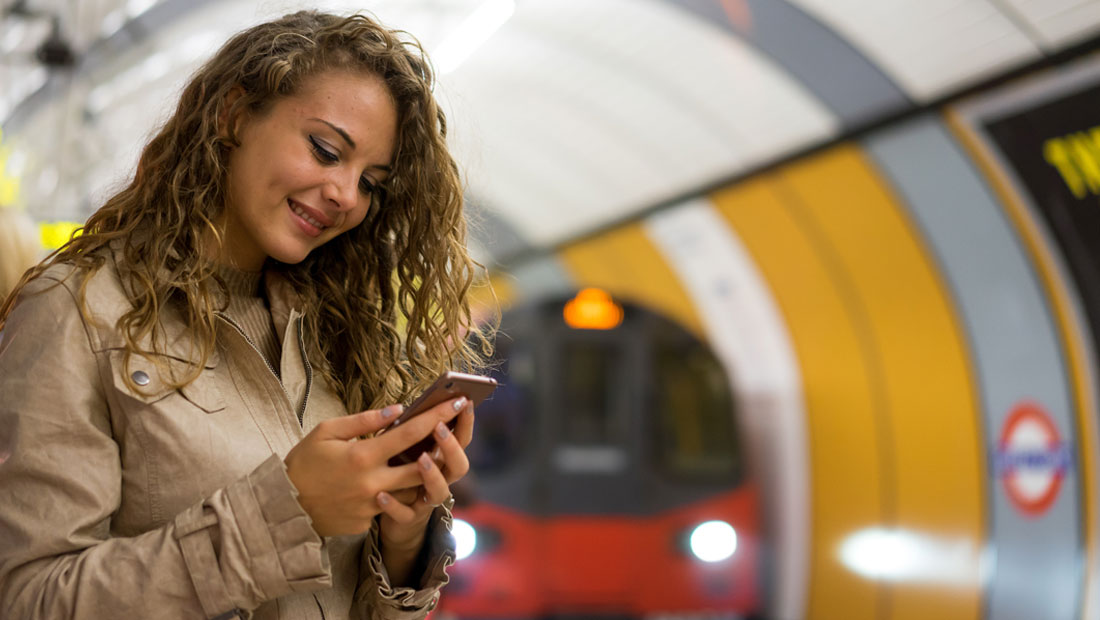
(587,398)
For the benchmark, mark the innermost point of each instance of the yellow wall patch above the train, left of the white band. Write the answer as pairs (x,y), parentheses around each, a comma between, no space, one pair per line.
(625,263)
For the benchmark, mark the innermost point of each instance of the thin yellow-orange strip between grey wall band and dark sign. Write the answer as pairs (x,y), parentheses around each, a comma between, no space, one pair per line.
(1073,337)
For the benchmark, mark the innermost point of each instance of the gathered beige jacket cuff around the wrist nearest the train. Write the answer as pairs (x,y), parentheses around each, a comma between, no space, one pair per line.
(377,600)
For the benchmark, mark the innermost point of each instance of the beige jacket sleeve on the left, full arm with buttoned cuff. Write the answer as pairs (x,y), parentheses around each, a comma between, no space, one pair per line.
(245,545)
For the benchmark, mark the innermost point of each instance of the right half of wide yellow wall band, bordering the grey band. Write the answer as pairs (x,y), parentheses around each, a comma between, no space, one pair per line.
(930,417)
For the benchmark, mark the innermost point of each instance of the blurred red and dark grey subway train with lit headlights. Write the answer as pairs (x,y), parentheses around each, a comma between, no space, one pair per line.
(610,477)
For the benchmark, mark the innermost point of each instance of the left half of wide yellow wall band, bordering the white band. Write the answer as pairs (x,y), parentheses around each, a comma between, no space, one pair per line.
(844,464)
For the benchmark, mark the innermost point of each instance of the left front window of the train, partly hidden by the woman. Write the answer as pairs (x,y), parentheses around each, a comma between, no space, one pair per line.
(504,416)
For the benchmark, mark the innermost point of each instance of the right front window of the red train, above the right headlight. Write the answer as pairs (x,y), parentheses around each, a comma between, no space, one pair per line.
(695,413)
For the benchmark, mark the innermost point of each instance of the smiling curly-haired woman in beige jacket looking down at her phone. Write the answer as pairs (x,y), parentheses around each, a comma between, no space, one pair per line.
(179,378)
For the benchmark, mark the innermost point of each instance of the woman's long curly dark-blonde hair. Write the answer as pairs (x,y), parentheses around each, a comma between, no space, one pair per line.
(386,304)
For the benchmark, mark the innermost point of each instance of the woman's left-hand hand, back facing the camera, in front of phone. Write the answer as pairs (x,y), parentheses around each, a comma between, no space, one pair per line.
(340,478)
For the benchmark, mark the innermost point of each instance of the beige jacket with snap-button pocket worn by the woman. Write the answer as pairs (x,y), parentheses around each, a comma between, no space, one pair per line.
(170,504)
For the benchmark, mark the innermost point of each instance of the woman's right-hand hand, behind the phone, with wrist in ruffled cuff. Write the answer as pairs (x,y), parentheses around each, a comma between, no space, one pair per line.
(405,514)
